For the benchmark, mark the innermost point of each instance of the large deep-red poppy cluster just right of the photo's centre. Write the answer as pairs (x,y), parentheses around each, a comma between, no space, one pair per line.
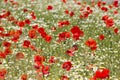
(76,32)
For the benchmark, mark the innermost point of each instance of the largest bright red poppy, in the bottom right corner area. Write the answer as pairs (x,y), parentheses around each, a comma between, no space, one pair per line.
(102,73)
